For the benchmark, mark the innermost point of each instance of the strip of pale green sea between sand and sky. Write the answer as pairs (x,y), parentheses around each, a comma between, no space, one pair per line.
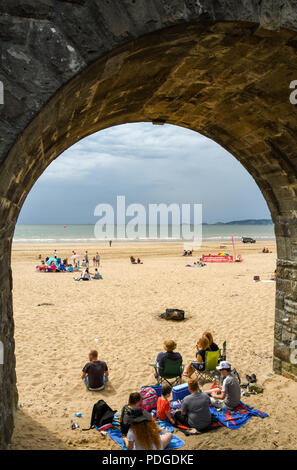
(84,233)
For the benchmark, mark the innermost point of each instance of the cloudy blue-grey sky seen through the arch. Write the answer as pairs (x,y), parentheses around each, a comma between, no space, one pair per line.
(146,164)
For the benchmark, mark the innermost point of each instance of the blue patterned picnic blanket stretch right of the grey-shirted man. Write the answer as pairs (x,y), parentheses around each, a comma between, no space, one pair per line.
(238,417)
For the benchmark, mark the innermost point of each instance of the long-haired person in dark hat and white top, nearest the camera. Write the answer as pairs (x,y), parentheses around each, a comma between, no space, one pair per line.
(143,433)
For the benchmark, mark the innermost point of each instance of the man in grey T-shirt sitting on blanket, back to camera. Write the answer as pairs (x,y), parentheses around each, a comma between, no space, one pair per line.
(194,411)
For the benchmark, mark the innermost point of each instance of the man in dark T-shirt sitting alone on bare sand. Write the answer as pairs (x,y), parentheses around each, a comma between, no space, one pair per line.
(95,373)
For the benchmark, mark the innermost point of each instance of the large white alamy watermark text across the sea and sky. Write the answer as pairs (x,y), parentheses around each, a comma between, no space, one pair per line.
(181,222)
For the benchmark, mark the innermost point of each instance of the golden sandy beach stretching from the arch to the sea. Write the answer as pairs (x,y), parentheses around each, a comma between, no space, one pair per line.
(53,341)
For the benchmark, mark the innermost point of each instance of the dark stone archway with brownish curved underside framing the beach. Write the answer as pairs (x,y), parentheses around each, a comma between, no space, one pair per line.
(74,67)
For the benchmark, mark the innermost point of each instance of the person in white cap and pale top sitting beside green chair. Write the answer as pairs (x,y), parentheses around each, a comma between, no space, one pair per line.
(227,396)
